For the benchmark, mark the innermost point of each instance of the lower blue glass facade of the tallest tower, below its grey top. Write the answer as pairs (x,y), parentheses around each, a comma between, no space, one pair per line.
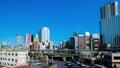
(110,30)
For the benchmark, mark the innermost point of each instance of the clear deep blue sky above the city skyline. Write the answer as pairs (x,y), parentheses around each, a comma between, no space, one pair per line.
(61,16)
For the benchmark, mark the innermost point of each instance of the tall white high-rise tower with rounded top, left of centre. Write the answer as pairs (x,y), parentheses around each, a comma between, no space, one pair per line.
(44,35)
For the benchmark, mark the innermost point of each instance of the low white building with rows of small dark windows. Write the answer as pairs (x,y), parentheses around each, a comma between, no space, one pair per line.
(12,58)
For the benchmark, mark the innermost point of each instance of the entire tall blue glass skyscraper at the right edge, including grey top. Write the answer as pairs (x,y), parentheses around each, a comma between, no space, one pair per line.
(110,24)
